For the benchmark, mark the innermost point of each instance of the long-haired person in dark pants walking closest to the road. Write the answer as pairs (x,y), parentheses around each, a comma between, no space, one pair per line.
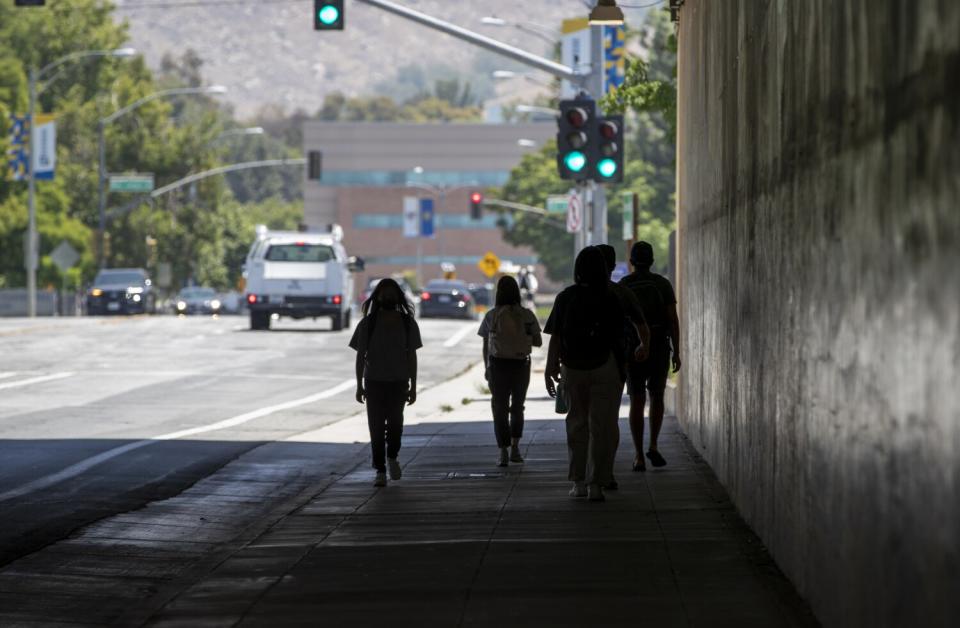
(386,341)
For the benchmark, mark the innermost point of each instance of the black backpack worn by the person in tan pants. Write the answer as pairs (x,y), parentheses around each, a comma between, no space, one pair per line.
(588,336)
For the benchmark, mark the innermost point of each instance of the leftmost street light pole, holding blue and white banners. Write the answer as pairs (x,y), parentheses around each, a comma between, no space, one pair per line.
(34,92)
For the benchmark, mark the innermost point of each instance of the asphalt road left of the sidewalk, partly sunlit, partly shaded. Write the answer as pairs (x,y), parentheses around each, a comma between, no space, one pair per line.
(100,416)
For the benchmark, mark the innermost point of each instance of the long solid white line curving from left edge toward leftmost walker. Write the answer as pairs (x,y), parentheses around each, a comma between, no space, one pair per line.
(85,465)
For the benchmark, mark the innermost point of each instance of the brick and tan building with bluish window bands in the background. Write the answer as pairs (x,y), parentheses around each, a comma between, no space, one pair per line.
(369,168)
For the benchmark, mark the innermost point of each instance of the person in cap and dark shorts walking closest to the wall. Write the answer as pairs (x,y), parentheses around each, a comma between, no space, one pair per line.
(656,295)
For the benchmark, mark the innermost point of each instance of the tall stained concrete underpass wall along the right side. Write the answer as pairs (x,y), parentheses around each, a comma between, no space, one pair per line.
(819,211)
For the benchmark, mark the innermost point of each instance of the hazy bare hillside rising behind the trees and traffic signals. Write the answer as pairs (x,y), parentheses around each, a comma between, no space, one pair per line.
(268,53)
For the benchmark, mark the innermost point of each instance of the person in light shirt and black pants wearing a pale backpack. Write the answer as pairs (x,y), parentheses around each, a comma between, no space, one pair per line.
(509,333)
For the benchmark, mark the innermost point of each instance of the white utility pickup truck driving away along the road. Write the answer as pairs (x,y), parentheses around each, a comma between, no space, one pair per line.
(300,275)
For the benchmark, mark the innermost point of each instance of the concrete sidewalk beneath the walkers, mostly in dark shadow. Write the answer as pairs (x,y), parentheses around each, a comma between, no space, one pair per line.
(460,542)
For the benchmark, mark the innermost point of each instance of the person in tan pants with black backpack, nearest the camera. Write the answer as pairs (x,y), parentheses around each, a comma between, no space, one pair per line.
(585,327)
